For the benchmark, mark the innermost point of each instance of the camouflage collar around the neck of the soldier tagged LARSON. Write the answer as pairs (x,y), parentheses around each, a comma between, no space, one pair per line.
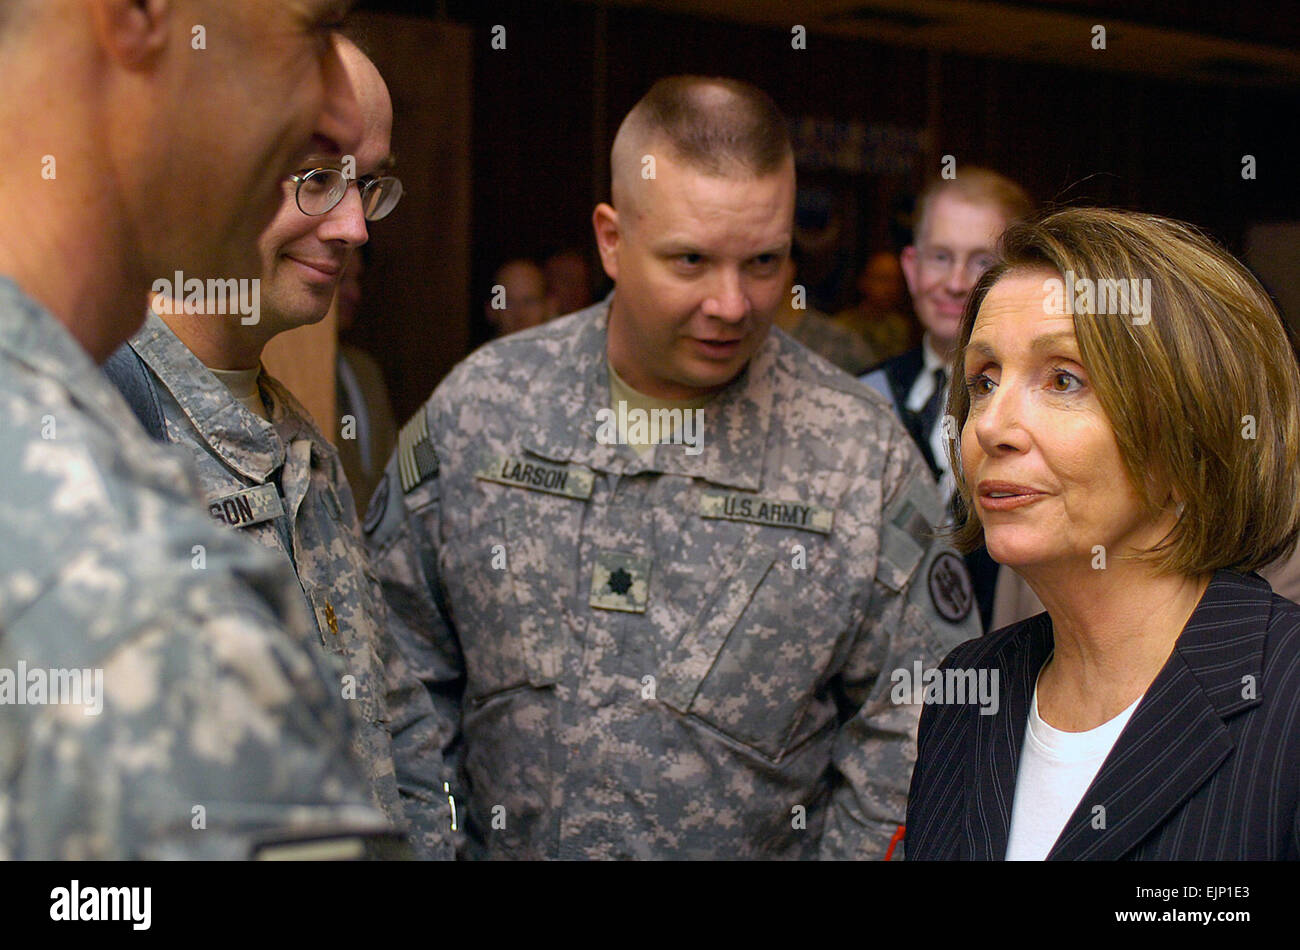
(735,424)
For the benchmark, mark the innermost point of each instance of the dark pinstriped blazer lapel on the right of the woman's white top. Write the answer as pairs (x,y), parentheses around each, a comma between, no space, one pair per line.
(1176,739)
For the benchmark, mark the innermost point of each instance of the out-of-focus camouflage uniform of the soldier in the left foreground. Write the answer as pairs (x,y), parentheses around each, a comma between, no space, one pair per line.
(219,731)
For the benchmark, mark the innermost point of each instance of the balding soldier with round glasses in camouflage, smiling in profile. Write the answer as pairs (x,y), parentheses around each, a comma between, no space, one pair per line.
(194,378)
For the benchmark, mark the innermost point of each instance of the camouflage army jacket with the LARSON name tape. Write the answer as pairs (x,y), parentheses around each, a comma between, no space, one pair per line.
(749,697)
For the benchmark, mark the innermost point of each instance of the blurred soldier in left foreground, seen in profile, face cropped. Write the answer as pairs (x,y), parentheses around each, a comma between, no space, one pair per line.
(185,717)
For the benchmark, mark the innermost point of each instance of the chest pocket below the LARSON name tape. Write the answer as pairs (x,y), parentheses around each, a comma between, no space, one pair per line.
(497,582)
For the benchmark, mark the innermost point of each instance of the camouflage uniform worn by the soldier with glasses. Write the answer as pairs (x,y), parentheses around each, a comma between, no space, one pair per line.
(281,484)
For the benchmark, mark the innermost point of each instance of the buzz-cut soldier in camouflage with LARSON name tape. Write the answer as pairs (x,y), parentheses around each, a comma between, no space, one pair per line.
(656,562)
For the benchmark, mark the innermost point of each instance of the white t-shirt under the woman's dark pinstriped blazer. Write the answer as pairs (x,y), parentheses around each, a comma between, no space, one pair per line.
(1056,769)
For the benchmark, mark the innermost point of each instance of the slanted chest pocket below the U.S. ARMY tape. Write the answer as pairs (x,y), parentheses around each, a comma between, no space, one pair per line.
(760,652)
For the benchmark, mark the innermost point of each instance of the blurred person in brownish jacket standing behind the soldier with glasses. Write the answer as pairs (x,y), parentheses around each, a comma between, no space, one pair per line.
(367,430)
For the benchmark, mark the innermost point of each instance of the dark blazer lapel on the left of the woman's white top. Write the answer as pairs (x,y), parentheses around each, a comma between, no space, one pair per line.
(999,740)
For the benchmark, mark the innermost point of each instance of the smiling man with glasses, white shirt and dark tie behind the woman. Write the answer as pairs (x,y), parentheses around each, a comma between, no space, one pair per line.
(956,228)
